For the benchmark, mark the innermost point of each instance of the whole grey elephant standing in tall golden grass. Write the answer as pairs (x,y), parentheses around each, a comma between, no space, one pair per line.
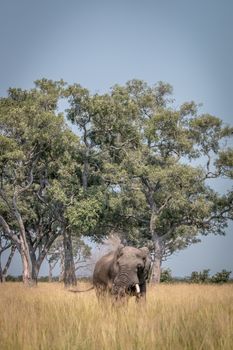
(122,272)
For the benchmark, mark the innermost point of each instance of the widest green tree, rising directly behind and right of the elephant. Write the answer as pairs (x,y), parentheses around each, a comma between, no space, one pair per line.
(147,151)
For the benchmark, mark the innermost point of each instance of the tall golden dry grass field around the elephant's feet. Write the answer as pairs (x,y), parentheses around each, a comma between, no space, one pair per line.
(178,316)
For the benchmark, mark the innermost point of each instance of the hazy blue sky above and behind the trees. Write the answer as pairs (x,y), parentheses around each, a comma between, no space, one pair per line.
(97,44)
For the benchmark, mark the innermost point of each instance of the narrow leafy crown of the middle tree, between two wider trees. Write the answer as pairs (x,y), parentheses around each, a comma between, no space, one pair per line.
(88,214)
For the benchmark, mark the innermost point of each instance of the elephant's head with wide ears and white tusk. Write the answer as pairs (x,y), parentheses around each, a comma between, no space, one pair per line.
(131,267)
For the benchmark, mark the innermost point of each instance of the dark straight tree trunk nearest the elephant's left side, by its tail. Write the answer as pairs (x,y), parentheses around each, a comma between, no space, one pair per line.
(69,267)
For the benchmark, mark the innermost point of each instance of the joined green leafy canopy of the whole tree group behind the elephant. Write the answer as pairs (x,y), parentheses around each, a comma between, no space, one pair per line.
(138,166)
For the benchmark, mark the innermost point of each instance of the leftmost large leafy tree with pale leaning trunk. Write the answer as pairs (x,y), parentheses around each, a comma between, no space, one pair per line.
(35,147)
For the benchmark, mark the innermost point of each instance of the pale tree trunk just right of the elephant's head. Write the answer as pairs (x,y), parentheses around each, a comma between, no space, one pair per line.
(157,260)
